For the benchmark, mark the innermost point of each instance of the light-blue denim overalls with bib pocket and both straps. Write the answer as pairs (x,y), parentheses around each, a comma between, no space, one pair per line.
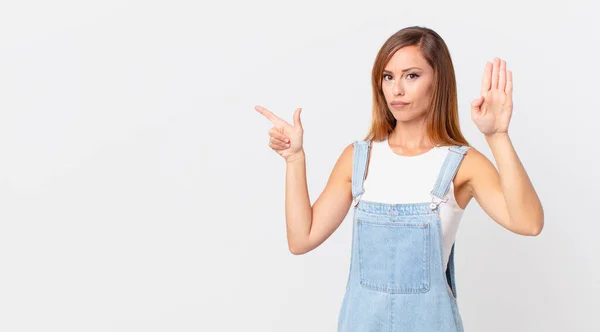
(397,281)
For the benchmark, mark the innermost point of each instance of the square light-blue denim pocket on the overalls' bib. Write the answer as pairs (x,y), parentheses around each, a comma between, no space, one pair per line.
(394,256)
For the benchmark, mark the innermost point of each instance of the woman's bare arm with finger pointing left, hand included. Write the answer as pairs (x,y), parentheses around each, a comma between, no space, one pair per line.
(308,226)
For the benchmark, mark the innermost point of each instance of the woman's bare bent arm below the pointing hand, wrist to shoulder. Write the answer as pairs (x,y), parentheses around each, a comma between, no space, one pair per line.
(308,227)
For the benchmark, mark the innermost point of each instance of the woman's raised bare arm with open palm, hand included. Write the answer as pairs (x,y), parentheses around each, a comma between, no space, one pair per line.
(506,195)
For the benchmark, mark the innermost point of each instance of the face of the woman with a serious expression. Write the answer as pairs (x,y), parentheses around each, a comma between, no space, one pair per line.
(406,84)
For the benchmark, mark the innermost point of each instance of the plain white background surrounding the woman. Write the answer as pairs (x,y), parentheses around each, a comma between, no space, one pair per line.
(138,191)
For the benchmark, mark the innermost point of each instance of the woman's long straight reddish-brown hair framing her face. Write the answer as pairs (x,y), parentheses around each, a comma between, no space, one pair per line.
(442,123)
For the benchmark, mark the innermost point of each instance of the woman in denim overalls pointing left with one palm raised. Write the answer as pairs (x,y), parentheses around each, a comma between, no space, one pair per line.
(409,182)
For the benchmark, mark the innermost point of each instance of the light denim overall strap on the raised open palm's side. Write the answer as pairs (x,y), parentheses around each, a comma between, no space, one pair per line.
(447,173)
